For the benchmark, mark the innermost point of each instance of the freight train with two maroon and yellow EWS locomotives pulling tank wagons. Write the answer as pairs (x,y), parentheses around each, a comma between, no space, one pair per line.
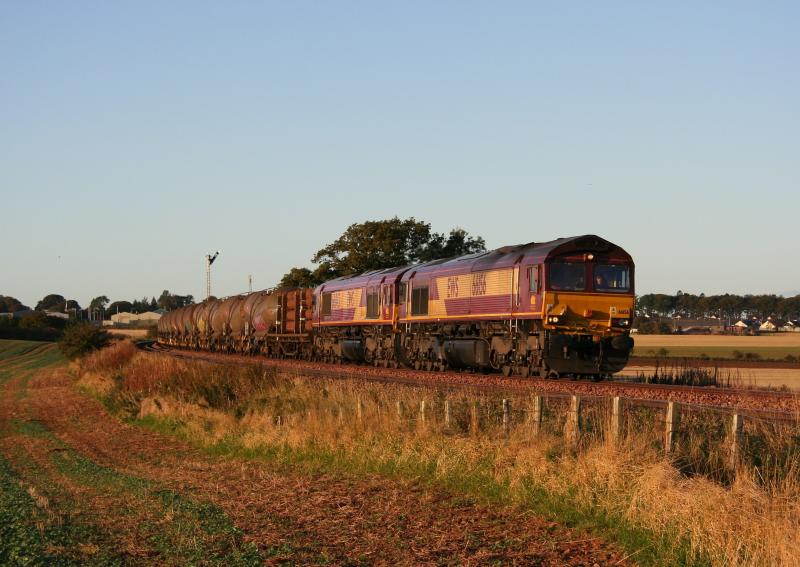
(550,309)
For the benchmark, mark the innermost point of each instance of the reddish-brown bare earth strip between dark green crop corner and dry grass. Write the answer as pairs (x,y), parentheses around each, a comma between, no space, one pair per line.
(134,486)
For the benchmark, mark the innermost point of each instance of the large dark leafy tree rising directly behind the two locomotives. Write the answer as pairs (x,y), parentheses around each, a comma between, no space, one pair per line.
(374,245)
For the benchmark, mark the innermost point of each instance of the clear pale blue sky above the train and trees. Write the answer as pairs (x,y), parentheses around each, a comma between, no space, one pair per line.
(136,137)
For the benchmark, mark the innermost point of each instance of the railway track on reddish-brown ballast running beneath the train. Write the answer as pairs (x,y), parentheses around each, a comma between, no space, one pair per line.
(783,405)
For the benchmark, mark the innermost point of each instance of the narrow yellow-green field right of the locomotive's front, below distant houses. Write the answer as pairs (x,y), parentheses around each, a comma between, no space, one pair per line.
(774,347)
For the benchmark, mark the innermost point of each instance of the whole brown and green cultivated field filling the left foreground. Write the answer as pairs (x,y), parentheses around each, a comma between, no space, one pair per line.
(79,486)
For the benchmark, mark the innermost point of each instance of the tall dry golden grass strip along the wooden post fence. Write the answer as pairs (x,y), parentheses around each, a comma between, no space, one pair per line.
(749,518)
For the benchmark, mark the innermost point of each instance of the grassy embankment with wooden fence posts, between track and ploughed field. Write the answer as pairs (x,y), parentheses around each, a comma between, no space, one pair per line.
(671,484)
